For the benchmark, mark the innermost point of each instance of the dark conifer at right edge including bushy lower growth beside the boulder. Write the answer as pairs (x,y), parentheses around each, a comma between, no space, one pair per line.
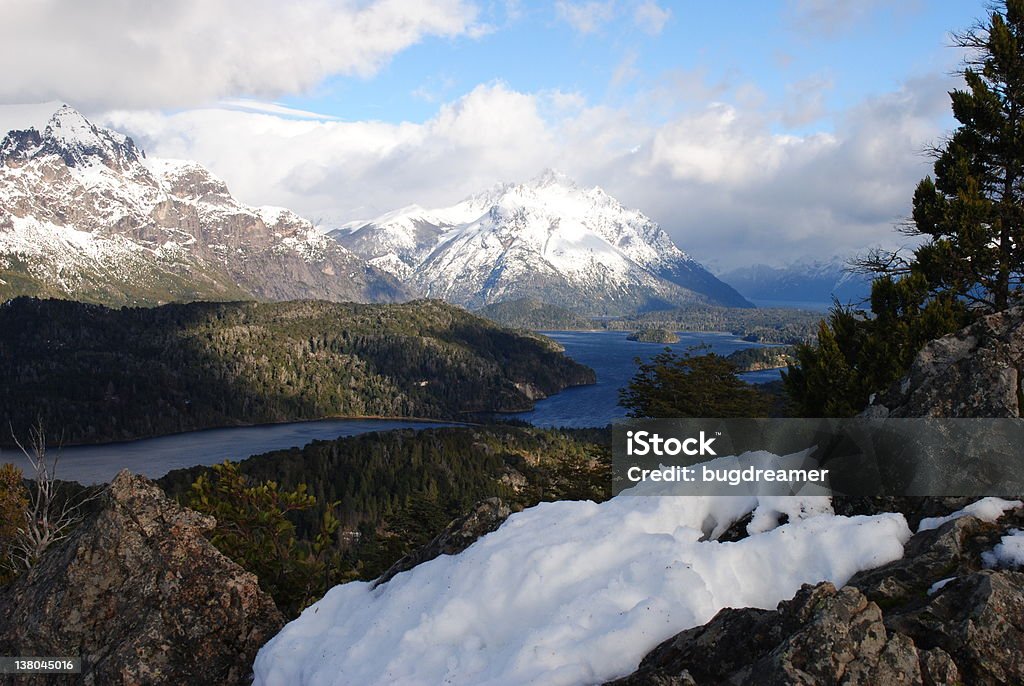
(971,217)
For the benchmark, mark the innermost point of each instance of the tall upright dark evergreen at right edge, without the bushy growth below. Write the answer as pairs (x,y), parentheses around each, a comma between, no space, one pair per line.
(972,212)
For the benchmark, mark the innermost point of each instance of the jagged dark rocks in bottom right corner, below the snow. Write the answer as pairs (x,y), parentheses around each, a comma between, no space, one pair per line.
(934,618)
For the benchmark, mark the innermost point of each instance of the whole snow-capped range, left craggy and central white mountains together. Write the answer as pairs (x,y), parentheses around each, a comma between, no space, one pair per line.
(87,216)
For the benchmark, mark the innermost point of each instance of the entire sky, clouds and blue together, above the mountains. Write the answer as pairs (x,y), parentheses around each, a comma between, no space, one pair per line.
(752,132)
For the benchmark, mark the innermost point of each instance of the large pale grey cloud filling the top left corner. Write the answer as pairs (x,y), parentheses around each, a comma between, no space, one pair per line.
(184,53)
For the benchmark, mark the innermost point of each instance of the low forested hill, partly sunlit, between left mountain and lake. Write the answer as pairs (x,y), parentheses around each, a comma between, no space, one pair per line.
(94,374)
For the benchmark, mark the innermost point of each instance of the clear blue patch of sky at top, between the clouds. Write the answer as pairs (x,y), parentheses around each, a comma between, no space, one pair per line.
(775,48)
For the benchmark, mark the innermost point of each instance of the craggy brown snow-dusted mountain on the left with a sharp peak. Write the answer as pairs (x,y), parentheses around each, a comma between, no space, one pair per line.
(86,216)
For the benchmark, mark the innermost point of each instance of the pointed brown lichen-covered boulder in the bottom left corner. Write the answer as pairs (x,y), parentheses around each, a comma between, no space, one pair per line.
(142,596)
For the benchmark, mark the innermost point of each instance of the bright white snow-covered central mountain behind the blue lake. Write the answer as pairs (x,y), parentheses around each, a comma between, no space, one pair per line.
(547,239)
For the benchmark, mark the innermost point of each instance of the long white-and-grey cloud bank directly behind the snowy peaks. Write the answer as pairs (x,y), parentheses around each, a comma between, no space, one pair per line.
(719,178)
